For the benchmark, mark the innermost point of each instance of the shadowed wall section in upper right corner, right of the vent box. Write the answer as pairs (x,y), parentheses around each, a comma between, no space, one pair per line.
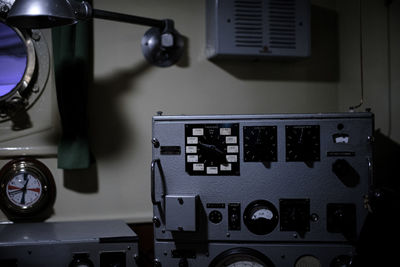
(381,90)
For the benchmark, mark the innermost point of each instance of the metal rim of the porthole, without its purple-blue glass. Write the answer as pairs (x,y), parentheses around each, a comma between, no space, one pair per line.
(35,76)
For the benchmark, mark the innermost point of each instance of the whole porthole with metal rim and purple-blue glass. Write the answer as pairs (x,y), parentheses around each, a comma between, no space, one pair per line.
(24,64)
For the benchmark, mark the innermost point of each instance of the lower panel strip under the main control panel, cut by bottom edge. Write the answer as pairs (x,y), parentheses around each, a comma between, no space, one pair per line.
(250,254)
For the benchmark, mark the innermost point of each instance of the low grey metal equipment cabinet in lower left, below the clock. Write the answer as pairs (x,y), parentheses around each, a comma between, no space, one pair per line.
(72,244)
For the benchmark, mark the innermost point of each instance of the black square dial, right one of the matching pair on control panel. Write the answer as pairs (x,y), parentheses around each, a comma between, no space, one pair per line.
(302,143)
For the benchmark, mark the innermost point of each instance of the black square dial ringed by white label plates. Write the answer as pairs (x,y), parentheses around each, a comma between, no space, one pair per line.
(212,149)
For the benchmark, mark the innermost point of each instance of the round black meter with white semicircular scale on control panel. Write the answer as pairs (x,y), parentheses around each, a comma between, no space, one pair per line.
(261,217)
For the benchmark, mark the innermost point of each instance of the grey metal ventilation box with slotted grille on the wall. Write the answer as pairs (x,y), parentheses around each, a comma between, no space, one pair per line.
(258,28)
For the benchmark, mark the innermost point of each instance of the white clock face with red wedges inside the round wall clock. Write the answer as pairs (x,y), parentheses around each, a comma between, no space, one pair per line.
(24,190)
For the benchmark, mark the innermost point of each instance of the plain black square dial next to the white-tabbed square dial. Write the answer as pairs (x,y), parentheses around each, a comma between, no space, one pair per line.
(260,143)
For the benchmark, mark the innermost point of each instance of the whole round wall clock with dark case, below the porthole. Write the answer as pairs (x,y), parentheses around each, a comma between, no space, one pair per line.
(27,190)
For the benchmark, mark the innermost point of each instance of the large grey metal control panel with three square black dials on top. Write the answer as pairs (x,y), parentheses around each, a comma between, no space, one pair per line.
(295,179)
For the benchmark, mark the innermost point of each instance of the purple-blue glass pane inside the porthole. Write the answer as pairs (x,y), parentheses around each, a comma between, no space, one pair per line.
(13,59)
